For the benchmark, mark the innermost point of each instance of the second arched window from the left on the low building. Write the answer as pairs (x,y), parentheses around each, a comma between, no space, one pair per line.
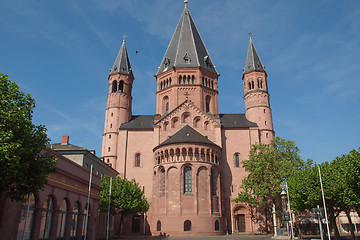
(47,212)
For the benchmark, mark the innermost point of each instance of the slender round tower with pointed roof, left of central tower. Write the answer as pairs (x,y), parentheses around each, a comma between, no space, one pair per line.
(119,99)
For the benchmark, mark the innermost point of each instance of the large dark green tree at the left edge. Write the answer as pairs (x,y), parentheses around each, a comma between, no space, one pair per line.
(23,169)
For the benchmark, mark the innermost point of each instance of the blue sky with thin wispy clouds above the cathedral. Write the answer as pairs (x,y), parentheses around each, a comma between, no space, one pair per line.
(61,53)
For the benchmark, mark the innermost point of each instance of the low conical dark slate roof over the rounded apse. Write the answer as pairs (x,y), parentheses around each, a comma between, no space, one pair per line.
(187,135)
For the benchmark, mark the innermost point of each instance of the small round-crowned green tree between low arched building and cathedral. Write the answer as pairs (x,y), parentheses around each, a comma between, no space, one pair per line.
(126,197)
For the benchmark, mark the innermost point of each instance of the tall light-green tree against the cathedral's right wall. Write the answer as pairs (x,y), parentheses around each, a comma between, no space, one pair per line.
(268,166)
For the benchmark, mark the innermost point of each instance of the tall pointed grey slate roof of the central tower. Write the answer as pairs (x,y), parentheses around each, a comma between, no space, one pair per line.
(186,43)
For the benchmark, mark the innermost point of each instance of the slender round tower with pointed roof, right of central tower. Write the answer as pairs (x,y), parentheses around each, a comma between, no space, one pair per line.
(256,95)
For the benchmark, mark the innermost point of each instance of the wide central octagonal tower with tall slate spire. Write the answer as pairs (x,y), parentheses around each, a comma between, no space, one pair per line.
(186,71)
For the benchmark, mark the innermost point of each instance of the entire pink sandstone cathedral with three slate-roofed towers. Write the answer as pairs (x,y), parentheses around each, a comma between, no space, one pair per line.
(187,156)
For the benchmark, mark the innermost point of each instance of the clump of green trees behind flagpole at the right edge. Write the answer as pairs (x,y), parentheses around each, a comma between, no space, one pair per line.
(341,184)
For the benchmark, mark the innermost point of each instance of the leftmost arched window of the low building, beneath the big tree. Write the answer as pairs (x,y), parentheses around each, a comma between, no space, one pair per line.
(30,218)
